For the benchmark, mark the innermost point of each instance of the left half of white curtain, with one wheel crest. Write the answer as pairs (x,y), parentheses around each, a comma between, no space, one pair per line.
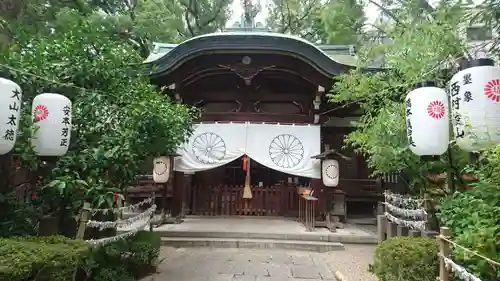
(211,146)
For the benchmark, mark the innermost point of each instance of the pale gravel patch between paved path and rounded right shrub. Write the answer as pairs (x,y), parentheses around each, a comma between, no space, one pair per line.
(353,262)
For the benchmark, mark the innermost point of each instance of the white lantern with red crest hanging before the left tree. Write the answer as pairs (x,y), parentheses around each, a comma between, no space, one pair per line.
(52,115)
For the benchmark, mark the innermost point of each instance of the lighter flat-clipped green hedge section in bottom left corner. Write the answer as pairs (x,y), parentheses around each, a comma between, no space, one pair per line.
(40,258)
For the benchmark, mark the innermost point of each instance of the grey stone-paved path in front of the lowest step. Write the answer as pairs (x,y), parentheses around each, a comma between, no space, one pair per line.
(205,264)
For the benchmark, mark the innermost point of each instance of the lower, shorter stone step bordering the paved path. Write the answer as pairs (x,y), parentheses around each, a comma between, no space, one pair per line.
(312,246)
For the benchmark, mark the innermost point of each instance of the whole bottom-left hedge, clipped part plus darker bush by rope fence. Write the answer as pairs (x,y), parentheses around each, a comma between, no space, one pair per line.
(57,258)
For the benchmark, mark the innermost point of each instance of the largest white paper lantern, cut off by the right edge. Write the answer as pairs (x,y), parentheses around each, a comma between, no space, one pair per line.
(475,105)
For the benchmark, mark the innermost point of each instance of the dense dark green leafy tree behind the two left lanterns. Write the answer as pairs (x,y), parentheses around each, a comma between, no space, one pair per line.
(119,119)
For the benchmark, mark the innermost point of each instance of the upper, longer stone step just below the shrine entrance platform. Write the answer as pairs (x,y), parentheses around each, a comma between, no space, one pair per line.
(311,237)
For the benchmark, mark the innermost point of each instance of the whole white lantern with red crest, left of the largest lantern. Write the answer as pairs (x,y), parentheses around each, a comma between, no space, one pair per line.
(427,119)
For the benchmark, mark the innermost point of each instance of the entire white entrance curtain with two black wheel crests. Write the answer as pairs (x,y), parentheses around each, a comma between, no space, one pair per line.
(285,148)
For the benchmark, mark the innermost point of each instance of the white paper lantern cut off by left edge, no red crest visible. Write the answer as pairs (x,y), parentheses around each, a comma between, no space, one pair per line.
(10,112)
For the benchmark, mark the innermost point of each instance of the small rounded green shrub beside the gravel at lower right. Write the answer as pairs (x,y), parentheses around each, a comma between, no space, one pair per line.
(406,259)
